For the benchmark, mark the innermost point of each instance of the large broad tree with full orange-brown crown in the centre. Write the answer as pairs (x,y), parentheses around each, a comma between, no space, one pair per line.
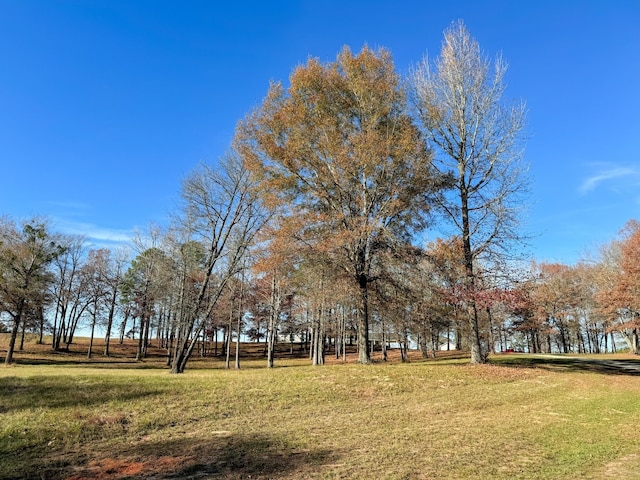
(339,149)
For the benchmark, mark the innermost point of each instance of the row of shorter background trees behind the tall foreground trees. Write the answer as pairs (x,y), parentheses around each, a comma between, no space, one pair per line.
(54,283)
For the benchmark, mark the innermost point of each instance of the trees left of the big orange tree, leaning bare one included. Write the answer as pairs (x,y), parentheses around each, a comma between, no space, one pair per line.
(173,286)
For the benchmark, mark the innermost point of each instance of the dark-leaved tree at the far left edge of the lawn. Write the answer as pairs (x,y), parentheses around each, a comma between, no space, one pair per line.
(25,257)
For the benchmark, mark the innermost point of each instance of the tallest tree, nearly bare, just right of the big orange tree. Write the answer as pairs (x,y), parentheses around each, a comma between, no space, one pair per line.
(477,139)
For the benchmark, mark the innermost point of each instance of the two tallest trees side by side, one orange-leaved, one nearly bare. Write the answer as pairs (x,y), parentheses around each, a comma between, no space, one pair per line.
(342,156)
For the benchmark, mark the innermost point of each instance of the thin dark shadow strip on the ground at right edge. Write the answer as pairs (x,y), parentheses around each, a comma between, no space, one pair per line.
(573,364)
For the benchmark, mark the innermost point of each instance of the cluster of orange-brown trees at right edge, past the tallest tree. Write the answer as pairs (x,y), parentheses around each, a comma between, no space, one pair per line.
(578,308)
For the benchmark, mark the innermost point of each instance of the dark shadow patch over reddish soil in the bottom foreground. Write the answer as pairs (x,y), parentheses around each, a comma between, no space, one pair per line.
(221,455)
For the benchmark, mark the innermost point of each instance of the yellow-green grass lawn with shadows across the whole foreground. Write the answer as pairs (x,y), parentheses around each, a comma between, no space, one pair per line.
(519,417)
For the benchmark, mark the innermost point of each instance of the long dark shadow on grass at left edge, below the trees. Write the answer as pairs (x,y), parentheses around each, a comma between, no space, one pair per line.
(67,391)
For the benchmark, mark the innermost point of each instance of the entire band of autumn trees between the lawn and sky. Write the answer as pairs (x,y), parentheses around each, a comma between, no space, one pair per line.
(308,230)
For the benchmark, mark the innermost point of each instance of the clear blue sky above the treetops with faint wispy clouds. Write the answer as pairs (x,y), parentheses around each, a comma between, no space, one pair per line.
(105,106)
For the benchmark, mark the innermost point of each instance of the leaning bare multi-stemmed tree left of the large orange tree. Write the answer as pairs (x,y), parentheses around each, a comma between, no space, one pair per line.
(221,212)
